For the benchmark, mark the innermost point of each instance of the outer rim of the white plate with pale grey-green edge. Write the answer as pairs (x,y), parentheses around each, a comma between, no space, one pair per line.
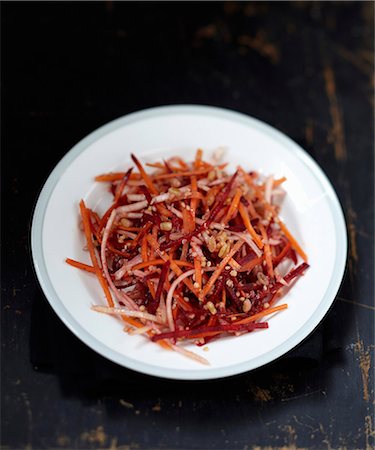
(177,374)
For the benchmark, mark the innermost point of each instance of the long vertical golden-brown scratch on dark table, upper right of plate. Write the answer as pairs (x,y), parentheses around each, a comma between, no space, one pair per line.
(336,115)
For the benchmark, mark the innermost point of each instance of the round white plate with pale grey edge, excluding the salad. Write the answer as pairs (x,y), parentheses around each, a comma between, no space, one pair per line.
(311,210)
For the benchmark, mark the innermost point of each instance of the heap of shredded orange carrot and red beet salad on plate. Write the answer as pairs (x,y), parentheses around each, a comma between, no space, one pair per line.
(188,252)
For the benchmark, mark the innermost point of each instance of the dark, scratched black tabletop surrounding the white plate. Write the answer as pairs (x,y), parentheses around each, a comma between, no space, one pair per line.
(305,68)
